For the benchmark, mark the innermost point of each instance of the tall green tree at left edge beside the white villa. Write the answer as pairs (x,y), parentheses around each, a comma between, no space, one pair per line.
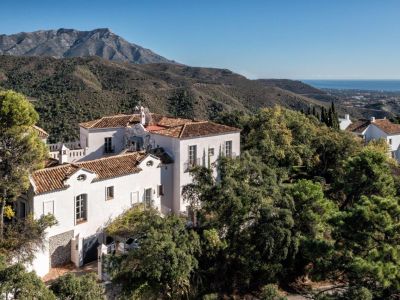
(21,151)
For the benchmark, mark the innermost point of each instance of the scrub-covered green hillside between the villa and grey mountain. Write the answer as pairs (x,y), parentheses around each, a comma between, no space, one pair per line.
(68,91)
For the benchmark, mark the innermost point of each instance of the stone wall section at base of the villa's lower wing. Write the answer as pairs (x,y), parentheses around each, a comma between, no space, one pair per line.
(60,248)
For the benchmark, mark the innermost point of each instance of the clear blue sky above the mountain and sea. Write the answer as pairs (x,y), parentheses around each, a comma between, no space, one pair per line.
(299,39)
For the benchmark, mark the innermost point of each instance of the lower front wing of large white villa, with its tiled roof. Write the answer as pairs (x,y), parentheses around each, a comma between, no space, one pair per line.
(84,198)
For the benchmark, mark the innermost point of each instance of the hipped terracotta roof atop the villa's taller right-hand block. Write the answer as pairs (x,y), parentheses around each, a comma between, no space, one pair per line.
(196,129)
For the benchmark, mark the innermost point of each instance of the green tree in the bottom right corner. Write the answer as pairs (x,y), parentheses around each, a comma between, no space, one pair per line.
(367,241)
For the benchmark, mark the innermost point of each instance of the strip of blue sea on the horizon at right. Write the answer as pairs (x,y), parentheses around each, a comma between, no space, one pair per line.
(365,85)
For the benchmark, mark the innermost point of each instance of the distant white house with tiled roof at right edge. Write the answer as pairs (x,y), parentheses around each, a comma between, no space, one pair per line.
(375,129)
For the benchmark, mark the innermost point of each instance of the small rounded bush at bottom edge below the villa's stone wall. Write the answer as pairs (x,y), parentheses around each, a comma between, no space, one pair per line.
(75,287)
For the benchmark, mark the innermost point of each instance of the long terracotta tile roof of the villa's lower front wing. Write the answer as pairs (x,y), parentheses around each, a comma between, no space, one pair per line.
(51,179)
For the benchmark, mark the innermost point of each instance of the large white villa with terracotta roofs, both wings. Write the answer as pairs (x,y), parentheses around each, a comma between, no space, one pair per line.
(118,161)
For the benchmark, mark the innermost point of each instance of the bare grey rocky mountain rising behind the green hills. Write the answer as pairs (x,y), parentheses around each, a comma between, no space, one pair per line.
(64,43)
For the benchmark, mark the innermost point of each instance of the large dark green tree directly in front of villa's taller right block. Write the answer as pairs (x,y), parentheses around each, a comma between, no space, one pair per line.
(245,225)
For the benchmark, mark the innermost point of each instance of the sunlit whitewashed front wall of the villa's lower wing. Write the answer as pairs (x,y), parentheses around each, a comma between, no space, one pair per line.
(99,210)
